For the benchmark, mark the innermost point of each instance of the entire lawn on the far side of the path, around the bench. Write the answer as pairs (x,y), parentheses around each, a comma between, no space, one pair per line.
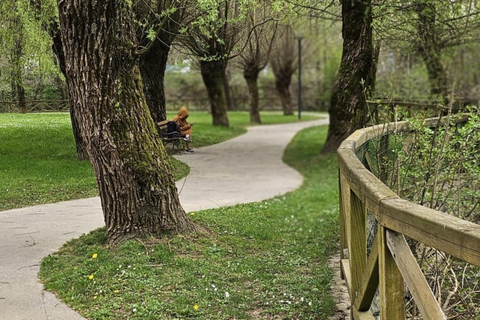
(38,162)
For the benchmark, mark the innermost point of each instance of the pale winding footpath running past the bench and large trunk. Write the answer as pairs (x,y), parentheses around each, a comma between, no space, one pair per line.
(245,169)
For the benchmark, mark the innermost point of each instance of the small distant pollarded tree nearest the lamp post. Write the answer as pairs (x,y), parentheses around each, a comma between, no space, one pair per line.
(284,63)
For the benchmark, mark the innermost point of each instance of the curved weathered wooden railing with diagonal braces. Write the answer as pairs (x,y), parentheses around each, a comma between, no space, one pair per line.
(389,265)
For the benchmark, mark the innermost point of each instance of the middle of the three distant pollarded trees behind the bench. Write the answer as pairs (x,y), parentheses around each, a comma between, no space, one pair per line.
(254,57)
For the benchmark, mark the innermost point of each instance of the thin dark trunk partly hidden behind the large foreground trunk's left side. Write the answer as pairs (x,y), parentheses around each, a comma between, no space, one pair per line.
(57,48)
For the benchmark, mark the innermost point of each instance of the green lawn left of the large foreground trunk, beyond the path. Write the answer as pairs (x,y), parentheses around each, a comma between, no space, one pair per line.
(38,162)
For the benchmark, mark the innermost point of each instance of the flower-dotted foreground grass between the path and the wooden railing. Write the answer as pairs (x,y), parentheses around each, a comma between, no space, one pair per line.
(265,260)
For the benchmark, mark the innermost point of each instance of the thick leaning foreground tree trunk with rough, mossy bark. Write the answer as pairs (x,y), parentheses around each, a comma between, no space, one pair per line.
(137,190)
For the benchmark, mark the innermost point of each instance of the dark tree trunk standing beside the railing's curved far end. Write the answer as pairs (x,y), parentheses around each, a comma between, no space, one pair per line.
(348,105)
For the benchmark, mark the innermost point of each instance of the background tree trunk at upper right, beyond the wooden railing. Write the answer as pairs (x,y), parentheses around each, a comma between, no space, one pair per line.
(430,49)
